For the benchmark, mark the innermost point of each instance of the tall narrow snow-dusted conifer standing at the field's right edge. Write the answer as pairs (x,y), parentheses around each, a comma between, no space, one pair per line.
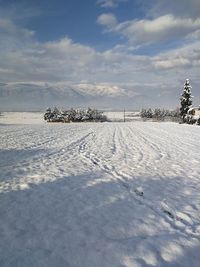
(186,99)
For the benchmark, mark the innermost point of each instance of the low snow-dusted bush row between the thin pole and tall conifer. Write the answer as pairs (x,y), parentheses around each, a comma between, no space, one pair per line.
(160,114)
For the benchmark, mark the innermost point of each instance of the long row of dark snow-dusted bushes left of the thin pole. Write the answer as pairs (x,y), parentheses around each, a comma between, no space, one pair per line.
(74,115)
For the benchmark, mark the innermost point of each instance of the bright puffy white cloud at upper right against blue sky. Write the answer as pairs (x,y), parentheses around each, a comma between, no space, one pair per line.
(148,31)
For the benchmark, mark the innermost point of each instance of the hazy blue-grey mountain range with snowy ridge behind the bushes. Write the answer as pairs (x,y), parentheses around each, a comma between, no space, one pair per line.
(37,96)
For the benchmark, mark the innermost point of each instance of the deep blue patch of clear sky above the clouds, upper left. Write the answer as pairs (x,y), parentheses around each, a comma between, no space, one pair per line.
(55,19)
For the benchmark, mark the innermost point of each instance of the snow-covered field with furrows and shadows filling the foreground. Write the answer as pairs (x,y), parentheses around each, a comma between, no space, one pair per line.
(99,195)
